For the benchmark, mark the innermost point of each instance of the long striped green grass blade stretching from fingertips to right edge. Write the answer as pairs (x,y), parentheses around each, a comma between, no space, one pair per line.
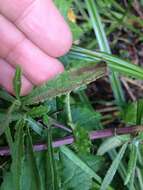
(114,62)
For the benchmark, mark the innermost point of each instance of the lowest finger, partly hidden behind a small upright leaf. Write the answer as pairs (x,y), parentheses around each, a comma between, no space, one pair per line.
(6,77)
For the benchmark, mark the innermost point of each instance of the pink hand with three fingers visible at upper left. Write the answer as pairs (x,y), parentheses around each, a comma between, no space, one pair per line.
(33,34)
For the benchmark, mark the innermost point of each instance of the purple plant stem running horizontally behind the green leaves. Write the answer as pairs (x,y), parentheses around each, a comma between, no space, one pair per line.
(99,134)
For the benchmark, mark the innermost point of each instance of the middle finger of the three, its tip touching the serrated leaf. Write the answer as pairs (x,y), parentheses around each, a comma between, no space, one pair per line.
(36,65)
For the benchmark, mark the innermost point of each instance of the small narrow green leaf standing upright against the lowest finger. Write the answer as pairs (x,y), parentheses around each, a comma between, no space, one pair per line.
(17,82)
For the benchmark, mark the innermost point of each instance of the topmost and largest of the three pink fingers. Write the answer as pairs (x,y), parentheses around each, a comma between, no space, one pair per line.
(41,22)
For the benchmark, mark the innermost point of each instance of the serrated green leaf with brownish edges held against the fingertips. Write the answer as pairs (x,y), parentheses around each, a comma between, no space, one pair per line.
(65,83)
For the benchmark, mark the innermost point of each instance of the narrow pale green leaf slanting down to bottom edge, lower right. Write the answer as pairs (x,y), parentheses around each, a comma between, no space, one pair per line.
(113,168)
